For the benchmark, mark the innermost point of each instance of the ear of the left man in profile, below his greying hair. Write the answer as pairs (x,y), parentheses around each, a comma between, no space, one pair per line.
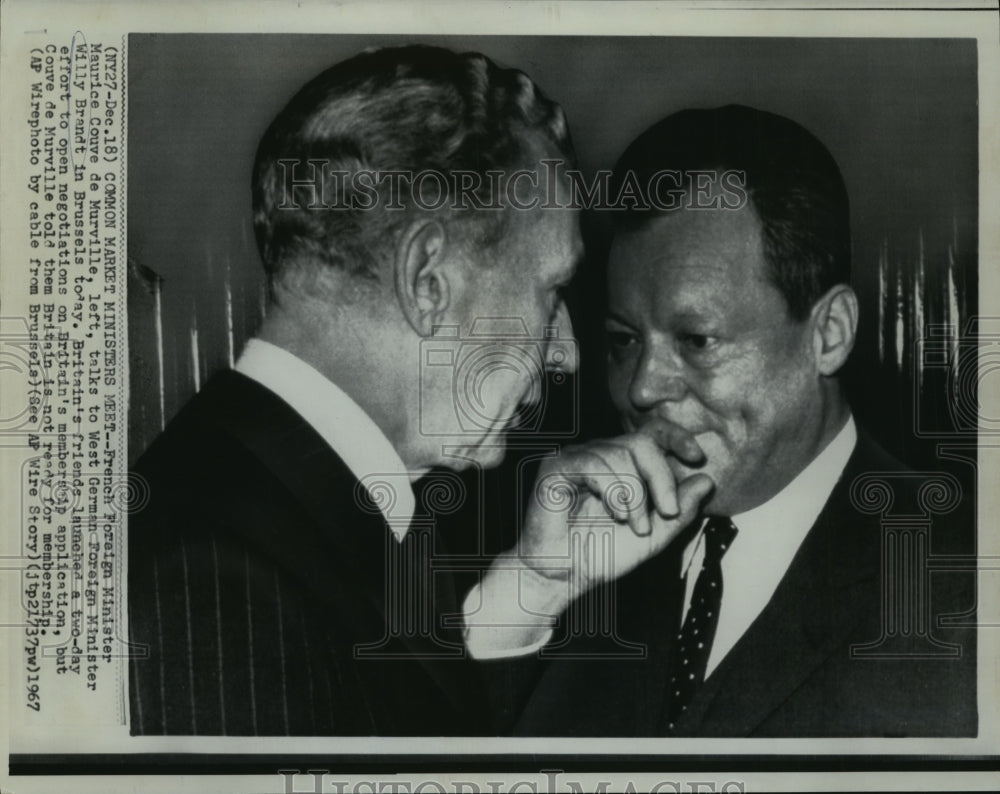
(422,275)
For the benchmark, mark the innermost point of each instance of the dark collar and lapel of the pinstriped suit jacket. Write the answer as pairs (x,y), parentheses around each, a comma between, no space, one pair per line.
(348,529)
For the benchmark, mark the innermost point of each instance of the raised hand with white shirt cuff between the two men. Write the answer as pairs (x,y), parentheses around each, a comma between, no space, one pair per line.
(598,510)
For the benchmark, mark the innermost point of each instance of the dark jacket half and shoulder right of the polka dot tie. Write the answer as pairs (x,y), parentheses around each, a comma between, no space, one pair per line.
(852,642)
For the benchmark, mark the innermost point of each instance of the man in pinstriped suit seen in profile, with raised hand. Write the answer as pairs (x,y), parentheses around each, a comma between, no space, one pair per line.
(280,578)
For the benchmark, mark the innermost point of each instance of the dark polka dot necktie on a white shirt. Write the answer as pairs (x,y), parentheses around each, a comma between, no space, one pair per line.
(698,631)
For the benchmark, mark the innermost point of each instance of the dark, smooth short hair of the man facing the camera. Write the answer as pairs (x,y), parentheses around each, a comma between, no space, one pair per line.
(790,177)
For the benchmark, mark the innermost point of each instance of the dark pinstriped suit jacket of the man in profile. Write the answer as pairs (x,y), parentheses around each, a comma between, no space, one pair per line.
(254,576)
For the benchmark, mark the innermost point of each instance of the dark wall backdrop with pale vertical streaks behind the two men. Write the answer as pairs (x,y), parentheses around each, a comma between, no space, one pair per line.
(899,115)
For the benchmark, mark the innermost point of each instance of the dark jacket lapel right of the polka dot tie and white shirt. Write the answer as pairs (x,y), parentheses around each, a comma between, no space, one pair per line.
(818,602)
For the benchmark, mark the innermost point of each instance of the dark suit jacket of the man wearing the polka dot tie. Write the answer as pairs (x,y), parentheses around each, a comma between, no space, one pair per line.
(793,673)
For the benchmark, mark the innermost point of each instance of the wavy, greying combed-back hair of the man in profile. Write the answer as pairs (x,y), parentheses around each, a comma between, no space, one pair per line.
(404,109)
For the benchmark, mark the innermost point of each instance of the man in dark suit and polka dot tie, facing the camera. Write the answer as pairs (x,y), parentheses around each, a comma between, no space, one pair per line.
(801,605)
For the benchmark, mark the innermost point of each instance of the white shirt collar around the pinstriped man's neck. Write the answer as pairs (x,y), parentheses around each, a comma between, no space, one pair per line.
(341,422)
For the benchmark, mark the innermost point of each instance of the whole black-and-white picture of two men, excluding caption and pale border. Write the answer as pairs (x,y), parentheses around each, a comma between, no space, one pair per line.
(553,386)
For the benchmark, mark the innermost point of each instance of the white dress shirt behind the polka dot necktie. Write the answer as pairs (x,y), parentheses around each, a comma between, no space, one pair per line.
(769,537)
